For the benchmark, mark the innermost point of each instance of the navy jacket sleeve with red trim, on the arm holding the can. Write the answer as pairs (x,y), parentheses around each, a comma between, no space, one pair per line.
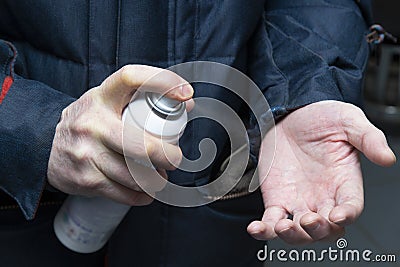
(29,113)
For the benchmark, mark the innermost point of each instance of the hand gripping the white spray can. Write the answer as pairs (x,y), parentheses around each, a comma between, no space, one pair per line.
(87,156)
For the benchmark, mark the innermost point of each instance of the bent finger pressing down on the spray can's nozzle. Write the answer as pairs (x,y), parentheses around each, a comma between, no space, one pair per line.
(117,90)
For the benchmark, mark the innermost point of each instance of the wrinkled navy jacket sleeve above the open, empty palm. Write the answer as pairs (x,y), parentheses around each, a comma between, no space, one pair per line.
(320,50)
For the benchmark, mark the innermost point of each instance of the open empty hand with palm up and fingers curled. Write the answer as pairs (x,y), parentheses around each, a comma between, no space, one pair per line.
(316,174)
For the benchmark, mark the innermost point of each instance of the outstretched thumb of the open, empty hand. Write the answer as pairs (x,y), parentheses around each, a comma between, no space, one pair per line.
(363,135)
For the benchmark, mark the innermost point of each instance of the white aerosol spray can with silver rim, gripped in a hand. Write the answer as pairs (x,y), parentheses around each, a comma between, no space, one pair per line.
(84,224)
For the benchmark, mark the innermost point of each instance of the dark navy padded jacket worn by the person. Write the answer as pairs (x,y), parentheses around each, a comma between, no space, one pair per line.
(298,52)
